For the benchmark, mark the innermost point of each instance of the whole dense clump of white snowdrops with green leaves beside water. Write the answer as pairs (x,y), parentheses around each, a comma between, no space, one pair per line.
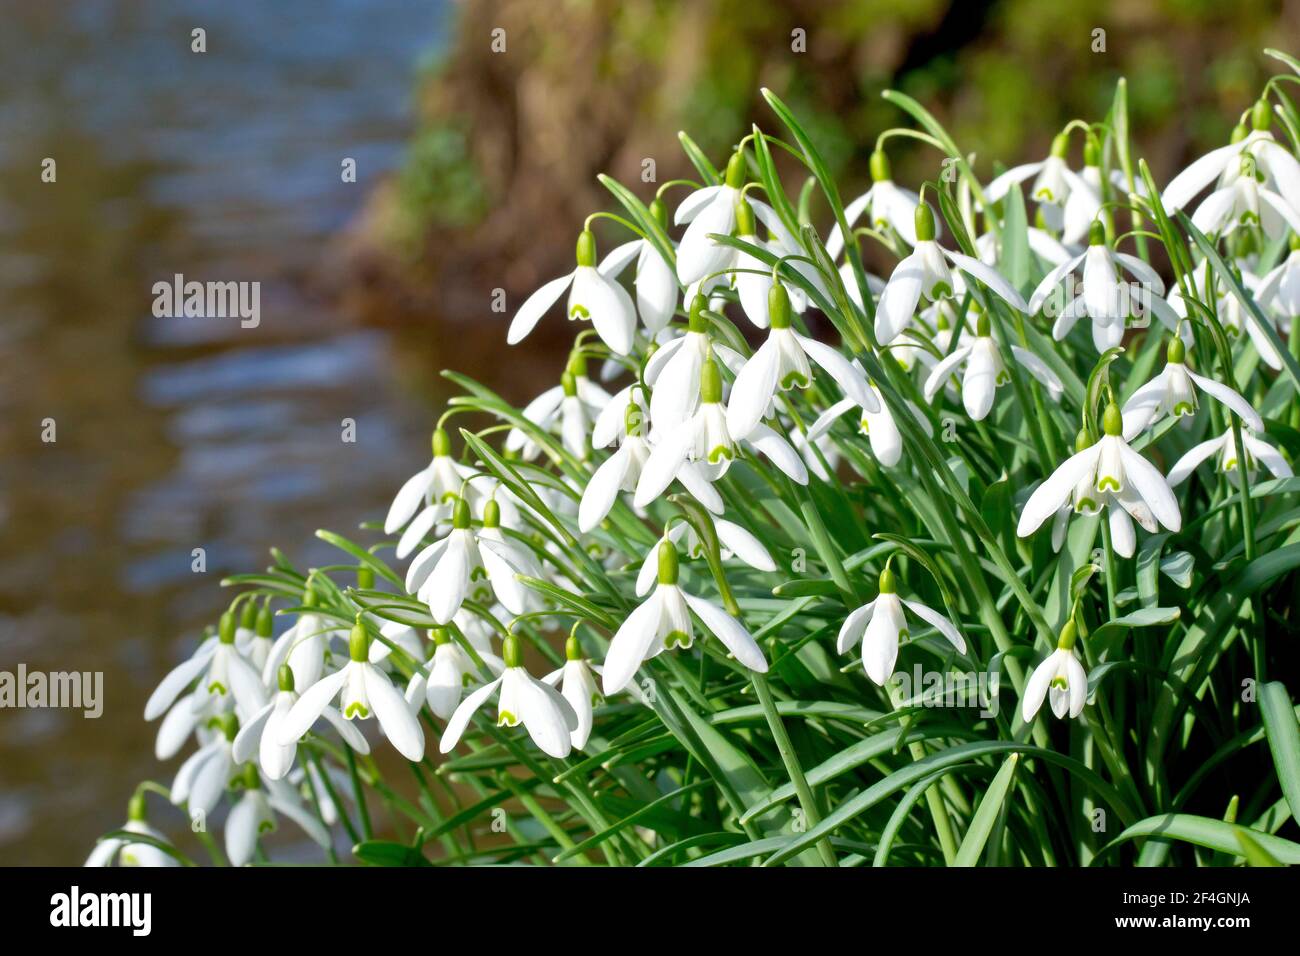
(765,474)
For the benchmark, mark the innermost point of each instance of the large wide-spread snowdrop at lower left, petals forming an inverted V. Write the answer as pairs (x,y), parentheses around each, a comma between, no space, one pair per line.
(363,691)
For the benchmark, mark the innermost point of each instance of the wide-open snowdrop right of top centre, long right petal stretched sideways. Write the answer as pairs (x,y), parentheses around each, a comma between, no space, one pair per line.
(925,274)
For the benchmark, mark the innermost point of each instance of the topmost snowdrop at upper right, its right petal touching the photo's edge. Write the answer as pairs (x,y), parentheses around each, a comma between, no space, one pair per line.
(1271,165)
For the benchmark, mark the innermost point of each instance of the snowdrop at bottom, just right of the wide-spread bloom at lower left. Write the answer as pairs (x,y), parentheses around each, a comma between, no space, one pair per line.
(523,699)
